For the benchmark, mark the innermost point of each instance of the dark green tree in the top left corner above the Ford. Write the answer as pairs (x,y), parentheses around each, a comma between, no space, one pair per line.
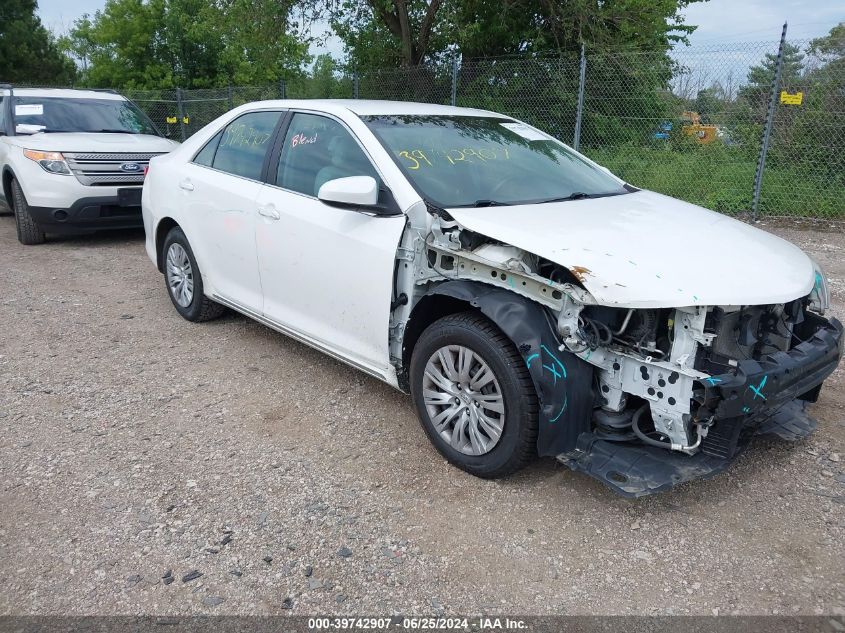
(28,51)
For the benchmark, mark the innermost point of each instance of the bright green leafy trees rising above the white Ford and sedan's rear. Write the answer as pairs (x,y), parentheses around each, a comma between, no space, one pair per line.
(187,43)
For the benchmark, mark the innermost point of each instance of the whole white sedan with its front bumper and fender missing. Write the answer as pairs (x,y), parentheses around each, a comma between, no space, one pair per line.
(530,301)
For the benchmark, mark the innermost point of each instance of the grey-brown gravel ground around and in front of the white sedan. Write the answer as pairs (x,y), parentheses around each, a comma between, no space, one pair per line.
(140,450)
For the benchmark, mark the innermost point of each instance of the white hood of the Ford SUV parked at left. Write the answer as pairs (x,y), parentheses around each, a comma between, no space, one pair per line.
(91,142)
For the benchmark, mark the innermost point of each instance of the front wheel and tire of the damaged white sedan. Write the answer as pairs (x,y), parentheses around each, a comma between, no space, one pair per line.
(516,445)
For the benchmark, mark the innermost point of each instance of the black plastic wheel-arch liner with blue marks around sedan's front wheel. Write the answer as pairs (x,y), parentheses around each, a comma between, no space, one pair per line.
(562,380)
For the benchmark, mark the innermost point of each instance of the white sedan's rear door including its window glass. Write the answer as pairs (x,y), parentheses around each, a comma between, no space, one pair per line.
(220,187)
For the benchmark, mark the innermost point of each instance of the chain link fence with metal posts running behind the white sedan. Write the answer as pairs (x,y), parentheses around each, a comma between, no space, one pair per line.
(751,128)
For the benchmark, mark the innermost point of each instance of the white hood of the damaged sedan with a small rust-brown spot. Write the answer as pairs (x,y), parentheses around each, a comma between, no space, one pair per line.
(646,250)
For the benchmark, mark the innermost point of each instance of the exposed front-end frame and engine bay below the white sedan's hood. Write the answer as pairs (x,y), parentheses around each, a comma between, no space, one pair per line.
(681,387)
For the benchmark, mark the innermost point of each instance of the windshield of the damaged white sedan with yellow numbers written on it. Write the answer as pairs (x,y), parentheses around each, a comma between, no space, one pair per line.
(470,161)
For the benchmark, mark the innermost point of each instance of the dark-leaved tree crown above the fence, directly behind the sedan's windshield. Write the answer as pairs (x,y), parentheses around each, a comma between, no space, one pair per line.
(391,33)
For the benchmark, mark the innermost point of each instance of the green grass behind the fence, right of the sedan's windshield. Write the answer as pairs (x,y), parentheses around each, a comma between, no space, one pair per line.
(722,178)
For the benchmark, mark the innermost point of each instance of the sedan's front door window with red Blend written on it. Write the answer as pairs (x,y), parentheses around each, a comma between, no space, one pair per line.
(318,149)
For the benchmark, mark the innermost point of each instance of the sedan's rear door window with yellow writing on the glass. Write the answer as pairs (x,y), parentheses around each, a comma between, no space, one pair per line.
(244,144)
